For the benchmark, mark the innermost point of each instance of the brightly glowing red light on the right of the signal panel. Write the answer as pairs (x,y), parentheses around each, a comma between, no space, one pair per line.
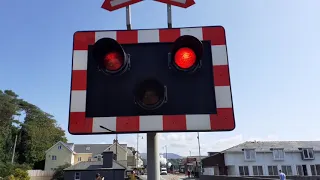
(185,58)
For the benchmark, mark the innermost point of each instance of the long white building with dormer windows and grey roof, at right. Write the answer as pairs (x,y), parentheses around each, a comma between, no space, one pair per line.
(266,158)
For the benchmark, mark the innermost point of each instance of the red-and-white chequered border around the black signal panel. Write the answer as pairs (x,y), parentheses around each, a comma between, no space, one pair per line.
(222,121)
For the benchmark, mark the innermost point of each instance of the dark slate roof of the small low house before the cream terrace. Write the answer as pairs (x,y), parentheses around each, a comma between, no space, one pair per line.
(92,165)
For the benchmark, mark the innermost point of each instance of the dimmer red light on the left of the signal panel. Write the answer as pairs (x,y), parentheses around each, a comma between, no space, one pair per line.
(113,61)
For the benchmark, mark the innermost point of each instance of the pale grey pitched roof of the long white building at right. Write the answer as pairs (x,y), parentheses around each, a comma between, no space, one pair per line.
(264,146)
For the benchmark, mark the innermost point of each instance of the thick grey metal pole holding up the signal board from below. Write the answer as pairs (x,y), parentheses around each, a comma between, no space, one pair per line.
(153,158)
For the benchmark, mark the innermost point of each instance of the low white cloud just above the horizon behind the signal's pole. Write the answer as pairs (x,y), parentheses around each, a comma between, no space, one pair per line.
(183,143)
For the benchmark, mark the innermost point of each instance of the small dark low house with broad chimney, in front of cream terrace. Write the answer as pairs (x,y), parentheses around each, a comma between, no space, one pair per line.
(108,168)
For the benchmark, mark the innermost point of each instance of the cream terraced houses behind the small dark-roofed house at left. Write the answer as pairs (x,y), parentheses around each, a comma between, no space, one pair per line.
(62,153)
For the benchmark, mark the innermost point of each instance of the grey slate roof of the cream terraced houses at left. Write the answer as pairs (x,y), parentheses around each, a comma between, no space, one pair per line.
(93,148)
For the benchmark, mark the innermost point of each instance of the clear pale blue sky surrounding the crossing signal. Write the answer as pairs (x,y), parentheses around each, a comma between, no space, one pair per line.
(273,48)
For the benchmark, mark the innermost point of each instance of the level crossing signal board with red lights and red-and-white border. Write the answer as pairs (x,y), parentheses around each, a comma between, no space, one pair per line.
(155,80)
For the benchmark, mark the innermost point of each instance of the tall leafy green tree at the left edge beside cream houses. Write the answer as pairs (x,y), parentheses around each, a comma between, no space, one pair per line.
(36,133)
